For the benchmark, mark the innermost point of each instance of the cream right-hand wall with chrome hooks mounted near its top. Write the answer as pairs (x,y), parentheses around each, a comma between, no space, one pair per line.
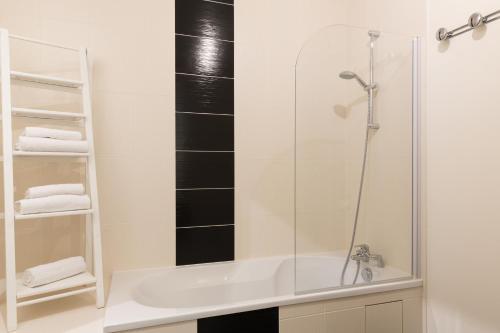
(463,172)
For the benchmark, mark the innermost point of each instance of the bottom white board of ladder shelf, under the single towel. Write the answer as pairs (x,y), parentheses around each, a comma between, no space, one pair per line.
(79,280)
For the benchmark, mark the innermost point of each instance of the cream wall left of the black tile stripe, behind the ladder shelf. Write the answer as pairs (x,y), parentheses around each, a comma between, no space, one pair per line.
(132,51)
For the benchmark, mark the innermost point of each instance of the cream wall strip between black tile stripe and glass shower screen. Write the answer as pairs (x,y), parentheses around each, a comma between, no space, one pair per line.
(269,35)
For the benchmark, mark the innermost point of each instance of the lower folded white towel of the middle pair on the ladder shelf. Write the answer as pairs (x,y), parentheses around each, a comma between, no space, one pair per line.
(55,203)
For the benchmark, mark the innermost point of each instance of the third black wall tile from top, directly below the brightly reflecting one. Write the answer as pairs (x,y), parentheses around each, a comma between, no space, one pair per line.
(204,94)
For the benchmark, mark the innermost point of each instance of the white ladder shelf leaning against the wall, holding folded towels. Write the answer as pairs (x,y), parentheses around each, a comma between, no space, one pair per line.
(17,295)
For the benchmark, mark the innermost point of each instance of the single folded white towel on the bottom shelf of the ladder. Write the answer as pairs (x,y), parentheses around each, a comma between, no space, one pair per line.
(55,271)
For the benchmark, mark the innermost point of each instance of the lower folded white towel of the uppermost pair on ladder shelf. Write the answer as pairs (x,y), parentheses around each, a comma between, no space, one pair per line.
(27,143)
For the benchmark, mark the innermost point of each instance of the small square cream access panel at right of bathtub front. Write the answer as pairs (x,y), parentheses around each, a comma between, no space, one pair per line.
(385,318)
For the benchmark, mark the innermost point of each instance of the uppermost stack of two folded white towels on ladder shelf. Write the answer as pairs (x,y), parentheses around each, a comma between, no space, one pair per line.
(39,139)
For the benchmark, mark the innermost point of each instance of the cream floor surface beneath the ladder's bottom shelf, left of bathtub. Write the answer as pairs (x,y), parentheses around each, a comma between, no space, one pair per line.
(70,315)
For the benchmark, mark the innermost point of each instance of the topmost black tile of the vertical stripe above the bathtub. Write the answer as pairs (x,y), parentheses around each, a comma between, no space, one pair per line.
(203,18)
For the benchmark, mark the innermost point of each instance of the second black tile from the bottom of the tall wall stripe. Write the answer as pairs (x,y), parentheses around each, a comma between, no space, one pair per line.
(204,207)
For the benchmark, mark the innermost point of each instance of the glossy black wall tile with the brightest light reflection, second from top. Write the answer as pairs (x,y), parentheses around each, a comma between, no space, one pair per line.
(204,56)
